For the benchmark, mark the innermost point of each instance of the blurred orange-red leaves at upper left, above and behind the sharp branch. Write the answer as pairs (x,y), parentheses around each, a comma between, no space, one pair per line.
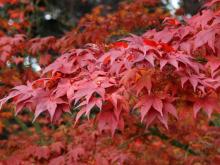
(18,50)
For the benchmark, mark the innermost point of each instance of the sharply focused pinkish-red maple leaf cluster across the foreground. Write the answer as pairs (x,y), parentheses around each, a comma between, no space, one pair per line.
(151,74)
